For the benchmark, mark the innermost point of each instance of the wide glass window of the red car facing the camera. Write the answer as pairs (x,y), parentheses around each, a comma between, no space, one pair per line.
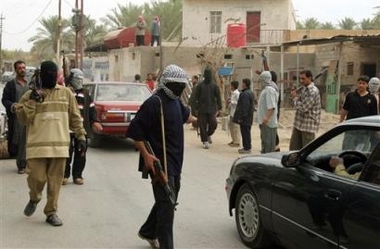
(122,92)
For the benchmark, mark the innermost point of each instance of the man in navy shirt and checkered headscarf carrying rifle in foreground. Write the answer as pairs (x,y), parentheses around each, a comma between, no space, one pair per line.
(157,130)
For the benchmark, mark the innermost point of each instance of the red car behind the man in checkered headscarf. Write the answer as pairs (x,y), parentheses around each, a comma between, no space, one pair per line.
(116,105)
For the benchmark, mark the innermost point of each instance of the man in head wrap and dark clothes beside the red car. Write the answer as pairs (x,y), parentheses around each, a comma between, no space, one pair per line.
(90,122)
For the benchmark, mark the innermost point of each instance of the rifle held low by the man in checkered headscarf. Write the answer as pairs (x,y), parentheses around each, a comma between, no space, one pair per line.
(159,176)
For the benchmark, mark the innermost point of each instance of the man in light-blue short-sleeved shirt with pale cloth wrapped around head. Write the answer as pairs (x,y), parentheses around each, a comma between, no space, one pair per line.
(267,112)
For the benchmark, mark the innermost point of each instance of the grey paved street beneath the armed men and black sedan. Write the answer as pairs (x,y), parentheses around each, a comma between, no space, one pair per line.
(108,209)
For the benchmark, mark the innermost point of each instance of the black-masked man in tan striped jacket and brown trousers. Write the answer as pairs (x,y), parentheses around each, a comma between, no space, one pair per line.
(48,113)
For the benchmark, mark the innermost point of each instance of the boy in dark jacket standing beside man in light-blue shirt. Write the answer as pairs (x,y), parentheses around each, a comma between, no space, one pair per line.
(244,115)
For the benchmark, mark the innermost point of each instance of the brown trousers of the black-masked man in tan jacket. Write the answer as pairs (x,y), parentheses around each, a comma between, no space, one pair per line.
(40,171)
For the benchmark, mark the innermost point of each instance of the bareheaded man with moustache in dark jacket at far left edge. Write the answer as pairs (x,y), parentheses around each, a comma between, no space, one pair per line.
(13,91)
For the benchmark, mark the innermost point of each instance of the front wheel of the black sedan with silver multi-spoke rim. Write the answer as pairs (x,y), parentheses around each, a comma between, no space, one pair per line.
(247,217)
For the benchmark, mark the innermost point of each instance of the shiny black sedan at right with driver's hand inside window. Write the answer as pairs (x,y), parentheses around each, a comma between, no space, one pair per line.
(295,199)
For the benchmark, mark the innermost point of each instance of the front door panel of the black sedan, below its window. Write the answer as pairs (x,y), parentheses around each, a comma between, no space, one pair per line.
(306,206)
